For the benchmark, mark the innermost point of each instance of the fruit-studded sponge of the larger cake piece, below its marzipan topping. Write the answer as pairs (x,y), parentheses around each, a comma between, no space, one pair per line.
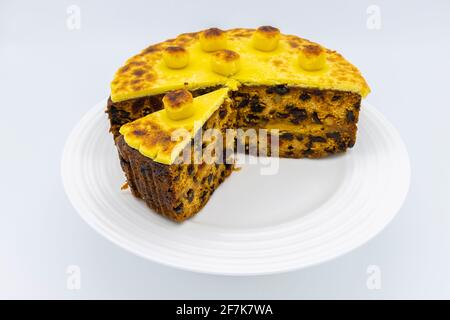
(321,122)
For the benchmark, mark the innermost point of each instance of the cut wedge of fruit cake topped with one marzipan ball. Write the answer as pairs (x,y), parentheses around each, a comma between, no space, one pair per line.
(164,171)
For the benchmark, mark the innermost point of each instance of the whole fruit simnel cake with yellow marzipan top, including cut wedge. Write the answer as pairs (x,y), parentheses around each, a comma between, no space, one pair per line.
(172,92)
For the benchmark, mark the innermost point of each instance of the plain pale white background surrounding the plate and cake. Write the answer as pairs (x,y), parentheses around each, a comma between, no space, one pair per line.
(50,76)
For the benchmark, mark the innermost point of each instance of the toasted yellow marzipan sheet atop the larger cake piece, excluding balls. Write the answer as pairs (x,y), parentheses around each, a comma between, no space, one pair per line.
(148,74)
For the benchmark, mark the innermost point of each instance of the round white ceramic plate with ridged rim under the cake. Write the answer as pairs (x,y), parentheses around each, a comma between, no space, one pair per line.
(308,213)
